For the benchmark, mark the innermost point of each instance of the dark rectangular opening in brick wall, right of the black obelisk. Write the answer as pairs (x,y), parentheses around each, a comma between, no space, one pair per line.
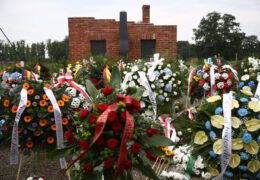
(147,48)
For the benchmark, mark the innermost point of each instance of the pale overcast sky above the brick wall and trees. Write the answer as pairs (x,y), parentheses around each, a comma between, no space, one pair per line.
(39,20)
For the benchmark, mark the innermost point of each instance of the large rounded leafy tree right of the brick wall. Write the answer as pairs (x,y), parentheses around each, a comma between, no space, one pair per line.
(218,34)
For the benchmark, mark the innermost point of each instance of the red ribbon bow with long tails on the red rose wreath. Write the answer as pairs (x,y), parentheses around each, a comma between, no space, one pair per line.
(131,105)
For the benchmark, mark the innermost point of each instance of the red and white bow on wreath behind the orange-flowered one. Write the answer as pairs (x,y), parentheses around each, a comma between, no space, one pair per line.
(69,79)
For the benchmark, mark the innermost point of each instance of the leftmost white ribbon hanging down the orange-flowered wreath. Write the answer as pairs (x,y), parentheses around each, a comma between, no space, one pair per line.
(15,137)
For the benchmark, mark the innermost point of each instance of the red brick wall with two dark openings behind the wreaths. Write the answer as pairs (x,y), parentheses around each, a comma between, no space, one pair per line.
(82,30)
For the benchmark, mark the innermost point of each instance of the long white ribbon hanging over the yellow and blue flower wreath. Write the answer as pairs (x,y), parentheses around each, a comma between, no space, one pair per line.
(226,135)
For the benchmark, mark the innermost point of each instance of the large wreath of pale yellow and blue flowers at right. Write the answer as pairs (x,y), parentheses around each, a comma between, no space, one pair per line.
(206,135)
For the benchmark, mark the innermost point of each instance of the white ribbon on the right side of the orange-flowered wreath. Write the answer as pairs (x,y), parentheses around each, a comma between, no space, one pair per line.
(58,123)
